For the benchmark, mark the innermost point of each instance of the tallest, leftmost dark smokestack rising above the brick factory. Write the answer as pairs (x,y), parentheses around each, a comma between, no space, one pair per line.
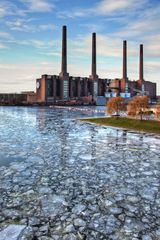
(64,49)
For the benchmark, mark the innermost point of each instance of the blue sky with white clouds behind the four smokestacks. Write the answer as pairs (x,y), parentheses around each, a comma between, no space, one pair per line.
(30,39)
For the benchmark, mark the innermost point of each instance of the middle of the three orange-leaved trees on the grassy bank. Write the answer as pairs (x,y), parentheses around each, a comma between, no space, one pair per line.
(138,106)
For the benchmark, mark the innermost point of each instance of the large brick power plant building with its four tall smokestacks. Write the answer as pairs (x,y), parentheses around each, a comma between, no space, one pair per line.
(64,88)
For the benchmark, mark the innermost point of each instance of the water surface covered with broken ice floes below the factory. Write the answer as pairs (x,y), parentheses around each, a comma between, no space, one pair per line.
(61,178)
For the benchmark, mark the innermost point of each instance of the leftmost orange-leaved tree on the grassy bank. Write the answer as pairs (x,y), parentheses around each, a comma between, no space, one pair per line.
(115,105)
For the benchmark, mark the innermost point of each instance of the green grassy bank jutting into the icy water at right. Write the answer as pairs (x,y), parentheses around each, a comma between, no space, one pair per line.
(131,124)
